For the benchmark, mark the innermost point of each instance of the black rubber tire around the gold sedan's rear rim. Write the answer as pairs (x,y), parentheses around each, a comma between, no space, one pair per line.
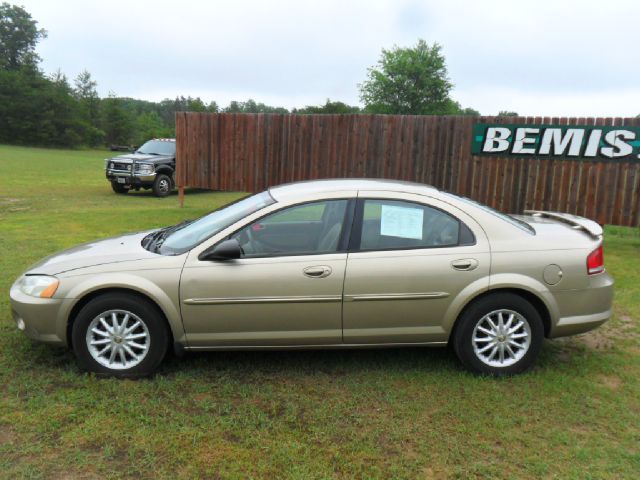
(474,315)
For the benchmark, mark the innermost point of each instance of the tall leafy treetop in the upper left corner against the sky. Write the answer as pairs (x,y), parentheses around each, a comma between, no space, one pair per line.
(19,35)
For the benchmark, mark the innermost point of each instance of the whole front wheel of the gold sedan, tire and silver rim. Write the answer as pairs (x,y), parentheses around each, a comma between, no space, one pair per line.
(120,335)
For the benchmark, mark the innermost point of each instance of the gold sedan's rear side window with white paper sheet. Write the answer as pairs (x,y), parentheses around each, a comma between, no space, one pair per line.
(392,224)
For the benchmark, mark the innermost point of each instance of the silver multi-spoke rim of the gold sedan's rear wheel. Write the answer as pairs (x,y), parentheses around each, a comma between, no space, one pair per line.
(501,338)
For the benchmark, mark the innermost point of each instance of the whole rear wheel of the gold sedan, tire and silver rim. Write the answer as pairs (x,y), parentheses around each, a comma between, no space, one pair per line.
(500,334)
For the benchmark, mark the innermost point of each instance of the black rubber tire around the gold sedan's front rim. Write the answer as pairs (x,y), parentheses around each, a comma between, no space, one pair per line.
(156,330)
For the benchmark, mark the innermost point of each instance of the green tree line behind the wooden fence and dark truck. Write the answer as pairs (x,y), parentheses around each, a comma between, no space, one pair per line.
(51,110)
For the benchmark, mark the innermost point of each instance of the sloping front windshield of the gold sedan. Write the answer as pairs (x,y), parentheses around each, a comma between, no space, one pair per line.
(191,234)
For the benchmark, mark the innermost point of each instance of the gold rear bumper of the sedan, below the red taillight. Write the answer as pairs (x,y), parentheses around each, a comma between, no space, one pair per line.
(584,310)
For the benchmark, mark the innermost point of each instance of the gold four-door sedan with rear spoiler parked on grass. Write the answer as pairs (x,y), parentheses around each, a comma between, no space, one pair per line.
(330,263)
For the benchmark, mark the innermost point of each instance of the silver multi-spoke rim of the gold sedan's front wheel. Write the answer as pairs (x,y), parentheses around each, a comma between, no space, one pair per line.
(118,339)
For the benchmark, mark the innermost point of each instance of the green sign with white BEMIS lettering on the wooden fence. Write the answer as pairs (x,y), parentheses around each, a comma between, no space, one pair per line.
(588,142)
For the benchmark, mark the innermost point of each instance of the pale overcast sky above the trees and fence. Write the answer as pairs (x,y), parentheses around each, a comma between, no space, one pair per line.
(543,57)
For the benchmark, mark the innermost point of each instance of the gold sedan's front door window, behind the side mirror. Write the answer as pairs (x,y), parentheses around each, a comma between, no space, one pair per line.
(310,228)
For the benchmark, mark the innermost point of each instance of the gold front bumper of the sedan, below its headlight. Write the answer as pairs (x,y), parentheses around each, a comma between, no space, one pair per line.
(38,318)
